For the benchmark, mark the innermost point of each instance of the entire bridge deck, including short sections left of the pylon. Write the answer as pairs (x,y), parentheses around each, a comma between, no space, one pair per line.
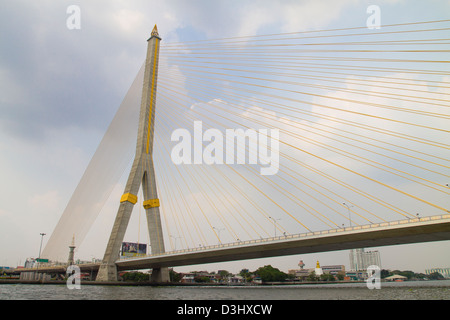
(435,228)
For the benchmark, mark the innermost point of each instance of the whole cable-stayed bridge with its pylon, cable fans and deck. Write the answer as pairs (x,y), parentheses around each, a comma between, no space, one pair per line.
(362,120)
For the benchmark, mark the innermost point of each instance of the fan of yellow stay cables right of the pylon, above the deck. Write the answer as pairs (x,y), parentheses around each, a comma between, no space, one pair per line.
(362,116)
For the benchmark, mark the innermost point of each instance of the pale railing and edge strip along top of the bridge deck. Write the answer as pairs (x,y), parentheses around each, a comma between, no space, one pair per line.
(296,236)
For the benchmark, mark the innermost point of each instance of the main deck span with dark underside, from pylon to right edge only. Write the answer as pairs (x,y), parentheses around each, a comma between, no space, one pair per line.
(363,238)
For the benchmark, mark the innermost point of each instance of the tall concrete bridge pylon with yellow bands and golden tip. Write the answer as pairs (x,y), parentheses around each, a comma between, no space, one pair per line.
(142,172)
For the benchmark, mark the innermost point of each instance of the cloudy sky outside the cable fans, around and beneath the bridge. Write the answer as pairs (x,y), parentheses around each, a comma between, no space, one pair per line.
(60,89)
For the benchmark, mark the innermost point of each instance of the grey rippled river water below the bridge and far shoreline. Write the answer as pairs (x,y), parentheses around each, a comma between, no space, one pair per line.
(408,290)
